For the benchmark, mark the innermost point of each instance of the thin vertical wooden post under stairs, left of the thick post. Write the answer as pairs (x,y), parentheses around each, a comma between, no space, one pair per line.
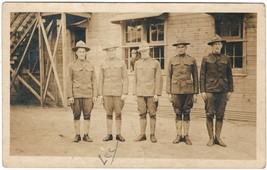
(41,61)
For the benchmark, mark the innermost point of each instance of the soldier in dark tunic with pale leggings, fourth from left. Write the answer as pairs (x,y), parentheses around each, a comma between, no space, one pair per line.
(182,87)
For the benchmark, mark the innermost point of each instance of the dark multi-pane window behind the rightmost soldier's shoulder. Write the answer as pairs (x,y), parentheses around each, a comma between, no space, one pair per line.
(230,28)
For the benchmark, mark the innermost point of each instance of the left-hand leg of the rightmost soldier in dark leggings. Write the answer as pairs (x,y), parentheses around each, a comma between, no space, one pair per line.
(210,109)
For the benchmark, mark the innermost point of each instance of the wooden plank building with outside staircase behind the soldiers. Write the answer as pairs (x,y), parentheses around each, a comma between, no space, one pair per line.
(56,33)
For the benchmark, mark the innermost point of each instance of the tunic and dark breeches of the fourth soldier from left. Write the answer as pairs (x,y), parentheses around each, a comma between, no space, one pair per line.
(182,83)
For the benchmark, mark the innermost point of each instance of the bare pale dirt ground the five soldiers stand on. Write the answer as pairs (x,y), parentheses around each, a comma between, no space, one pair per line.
(48,131)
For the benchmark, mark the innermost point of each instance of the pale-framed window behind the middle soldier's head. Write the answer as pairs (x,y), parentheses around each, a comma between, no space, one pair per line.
(150,30)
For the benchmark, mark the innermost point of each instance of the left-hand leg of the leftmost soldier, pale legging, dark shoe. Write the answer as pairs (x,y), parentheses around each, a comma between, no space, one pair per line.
(77,114)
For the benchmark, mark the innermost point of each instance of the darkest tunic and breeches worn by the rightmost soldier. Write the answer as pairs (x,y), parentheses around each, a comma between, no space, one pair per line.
(216,80)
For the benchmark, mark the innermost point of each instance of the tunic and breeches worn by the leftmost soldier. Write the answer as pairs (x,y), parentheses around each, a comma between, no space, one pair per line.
(82,86)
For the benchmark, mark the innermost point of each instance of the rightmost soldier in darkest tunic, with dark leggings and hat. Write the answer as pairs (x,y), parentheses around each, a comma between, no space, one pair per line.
(216,86)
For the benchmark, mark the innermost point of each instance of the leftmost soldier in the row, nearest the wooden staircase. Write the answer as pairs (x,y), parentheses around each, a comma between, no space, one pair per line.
(81,90)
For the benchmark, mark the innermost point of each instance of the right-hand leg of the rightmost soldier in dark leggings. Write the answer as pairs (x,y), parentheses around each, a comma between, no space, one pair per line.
(219,111)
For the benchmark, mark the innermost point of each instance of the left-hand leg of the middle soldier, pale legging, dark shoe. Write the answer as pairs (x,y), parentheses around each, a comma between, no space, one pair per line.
(142,108)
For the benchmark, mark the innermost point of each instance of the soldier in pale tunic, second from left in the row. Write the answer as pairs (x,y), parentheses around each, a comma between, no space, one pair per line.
(113,89)
